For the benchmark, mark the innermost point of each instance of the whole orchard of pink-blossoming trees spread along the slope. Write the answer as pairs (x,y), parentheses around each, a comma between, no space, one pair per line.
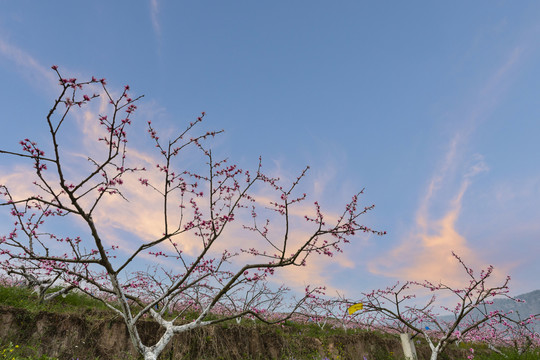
(223,234)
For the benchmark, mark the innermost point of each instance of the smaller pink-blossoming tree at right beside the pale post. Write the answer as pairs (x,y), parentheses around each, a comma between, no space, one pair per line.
(468,317)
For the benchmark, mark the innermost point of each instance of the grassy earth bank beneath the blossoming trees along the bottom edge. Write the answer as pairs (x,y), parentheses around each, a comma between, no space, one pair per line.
(250,340)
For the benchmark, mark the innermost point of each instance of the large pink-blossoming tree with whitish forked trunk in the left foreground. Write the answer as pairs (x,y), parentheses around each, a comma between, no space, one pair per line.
(198,206)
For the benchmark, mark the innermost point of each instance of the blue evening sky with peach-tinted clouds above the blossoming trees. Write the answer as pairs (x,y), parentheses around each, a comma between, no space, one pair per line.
(432,107)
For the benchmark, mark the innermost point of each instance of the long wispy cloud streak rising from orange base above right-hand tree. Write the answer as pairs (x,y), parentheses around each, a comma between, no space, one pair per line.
(425,251)
